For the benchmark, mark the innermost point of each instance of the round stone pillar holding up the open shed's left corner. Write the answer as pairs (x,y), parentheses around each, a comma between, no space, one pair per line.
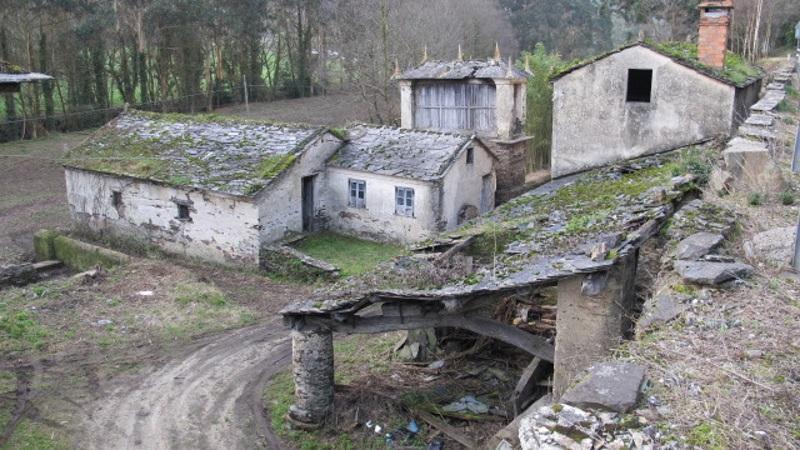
(312,366)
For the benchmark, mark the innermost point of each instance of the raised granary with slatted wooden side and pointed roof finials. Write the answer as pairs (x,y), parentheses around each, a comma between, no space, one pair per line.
(487,98)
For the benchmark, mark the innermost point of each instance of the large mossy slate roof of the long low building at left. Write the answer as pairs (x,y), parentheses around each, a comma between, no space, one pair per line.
(231,156)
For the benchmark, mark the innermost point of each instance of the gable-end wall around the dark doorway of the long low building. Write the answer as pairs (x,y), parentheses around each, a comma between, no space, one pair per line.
(281,203)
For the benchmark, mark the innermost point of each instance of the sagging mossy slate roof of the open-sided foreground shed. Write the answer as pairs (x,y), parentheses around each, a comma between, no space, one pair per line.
(579,224)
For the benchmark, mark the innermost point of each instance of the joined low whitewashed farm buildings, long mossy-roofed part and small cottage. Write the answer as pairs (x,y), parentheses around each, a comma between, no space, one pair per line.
(224,189)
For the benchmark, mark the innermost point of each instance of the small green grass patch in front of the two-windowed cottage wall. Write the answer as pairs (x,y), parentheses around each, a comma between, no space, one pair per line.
(351,255)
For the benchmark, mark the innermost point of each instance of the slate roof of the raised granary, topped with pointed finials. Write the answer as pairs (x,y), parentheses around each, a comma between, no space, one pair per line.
(460,70)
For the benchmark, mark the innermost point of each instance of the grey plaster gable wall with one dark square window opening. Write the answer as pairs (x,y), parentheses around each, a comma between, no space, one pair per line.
(593,125)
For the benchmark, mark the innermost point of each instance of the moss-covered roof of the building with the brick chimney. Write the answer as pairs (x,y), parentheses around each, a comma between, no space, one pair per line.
(685,56)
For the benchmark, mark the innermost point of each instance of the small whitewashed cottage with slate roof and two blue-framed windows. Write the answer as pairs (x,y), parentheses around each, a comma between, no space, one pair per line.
(406,185)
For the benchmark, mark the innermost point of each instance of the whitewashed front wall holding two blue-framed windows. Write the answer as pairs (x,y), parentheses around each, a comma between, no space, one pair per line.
(378,220)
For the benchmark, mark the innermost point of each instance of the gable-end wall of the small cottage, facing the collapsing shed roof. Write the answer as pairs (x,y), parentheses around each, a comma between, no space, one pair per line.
(463,184)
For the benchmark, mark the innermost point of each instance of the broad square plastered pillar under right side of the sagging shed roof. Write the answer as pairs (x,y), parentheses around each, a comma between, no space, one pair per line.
(593,314)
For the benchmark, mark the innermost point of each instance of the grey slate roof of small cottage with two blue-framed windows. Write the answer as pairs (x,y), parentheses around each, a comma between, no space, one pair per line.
(400,152)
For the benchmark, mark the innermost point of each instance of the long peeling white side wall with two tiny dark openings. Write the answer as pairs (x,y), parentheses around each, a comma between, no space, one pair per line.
(222,228)
